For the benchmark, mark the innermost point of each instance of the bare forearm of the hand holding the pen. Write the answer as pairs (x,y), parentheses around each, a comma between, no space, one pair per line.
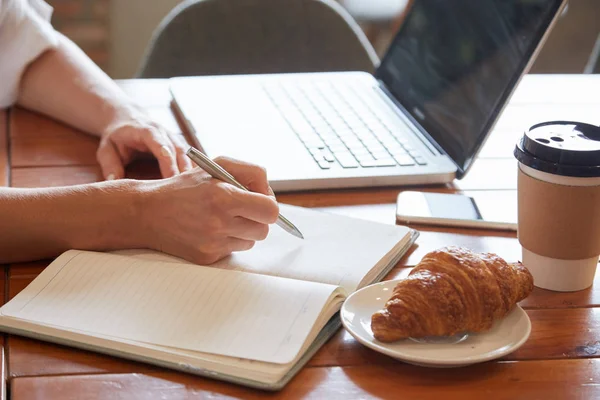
(42,223)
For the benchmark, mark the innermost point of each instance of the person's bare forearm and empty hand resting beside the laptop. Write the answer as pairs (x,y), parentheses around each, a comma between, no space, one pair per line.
(65,84)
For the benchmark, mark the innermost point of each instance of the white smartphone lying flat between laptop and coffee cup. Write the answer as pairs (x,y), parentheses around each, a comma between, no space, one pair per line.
(491,210)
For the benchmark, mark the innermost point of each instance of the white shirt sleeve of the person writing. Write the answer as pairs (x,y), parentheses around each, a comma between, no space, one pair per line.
(25,33)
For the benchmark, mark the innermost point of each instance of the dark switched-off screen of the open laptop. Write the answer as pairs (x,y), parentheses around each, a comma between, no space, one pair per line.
(454,63)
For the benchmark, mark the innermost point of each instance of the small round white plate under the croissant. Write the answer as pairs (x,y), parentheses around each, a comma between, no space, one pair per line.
(506,335)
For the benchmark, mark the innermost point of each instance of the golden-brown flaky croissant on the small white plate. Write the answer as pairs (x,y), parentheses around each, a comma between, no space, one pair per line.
(452,290)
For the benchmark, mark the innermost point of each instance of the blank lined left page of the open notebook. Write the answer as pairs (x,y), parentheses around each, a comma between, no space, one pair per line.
(176,305)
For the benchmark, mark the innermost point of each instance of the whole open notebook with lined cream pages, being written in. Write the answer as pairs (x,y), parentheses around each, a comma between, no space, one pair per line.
(254,318)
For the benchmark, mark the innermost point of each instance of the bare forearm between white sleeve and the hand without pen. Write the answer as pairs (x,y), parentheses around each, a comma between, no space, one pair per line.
(66,85)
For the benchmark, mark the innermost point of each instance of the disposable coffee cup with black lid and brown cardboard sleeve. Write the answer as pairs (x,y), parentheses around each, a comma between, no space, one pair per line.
(559,203)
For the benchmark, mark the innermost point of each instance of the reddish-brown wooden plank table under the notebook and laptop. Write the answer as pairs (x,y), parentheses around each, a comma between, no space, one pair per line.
(560,359)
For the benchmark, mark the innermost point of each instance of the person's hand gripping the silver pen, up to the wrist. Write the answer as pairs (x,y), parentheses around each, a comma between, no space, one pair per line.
(202,219)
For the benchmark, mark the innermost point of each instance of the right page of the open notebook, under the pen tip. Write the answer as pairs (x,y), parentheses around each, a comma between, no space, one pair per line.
(337,249)
